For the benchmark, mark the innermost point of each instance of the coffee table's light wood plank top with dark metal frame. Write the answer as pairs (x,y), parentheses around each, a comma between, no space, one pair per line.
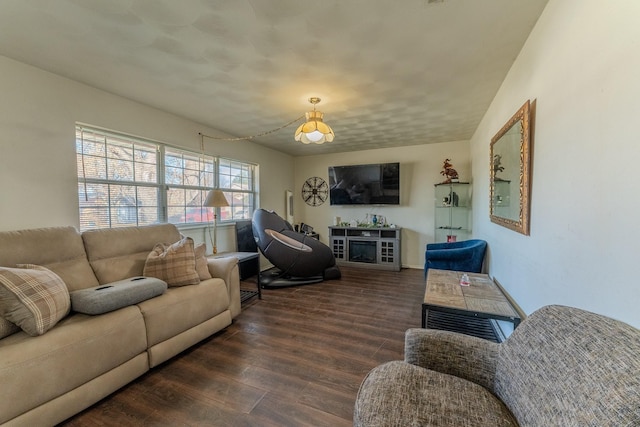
(483,299)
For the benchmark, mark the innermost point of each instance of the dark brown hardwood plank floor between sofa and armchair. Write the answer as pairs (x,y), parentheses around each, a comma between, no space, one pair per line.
(294,358)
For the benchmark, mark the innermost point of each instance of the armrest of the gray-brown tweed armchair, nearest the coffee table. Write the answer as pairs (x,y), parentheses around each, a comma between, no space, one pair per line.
(464,356)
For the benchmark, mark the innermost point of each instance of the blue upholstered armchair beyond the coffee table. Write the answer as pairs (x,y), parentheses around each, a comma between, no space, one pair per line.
(467,255)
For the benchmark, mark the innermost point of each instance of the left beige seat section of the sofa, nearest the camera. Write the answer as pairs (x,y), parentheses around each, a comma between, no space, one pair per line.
(37,370)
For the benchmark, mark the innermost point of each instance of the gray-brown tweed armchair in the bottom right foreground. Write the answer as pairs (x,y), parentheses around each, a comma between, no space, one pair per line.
(561,367)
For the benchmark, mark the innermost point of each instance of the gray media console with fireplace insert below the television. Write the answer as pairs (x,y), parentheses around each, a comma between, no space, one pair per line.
(366,247)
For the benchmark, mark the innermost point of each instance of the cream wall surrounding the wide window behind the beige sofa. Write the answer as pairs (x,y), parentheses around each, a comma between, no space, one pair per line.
(38,112)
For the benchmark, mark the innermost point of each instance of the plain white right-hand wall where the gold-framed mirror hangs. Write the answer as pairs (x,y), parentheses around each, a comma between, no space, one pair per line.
(581,65)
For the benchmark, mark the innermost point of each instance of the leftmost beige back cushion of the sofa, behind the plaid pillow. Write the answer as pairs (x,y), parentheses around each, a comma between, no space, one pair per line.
(60,249)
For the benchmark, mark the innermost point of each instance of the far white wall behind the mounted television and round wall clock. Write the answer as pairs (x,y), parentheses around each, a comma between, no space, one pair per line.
(420,167)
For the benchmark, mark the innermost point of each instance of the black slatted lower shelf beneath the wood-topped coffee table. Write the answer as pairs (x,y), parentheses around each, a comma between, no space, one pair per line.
(477,327)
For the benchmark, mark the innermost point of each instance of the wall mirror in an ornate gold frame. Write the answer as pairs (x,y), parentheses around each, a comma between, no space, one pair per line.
(509,171)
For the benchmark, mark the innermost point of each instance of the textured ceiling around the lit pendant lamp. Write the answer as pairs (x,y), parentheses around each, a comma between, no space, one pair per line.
(389,72)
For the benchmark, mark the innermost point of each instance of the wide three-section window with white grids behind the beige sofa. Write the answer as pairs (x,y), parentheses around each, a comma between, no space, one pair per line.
(125,181)
